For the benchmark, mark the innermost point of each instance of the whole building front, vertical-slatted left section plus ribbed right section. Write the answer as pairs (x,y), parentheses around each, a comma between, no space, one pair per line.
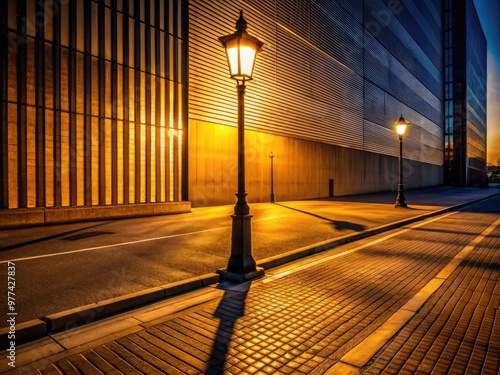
(125,104)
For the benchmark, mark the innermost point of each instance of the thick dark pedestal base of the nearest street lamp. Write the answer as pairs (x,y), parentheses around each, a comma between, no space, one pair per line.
(241,265)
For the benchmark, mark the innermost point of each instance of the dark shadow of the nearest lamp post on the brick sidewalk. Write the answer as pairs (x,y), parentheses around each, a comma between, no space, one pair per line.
(229,310)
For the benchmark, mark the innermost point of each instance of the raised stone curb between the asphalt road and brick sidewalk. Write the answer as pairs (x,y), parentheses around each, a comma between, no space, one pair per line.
(72,318)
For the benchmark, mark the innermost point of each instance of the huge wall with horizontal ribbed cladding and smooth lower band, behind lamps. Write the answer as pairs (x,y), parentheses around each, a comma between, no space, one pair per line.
(332,79)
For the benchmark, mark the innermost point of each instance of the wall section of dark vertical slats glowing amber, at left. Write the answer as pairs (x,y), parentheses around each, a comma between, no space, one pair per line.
(90,98)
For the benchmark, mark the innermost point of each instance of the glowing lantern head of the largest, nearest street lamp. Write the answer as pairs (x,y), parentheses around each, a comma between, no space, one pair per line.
(241,49)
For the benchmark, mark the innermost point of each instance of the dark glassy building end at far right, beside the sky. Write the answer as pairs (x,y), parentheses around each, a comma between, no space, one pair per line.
(465,95)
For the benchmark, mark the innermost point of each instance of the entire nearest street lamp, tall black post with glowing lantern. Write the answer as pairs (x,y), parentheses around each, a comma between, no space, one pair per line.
(241,50)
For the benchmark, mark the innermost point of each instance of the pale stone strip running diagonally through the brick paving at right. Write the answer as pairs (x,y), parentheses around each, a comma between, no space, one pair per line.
(354,360)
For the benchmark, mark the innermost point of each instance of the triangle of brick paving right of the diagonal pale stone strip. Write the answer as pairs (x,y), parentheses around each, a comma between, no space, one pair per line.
(458,330)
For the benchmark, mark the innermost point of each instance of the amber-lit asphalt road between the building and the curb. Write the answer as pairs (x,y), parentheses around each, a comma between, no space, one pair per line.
(65,266)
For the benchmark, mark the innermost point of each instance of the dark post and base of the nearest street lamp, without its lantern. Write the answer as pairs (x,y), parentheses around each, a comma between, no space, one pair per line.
(241,265)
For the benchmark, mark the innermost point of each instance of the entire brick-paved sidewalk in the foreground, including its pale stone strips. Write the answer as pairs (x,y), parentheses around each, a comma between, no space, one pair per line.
(401,301)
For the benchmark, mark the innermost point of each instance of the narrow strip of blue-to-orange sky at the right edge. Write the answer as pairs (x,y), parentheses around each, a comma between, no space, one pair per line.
(489,15)
